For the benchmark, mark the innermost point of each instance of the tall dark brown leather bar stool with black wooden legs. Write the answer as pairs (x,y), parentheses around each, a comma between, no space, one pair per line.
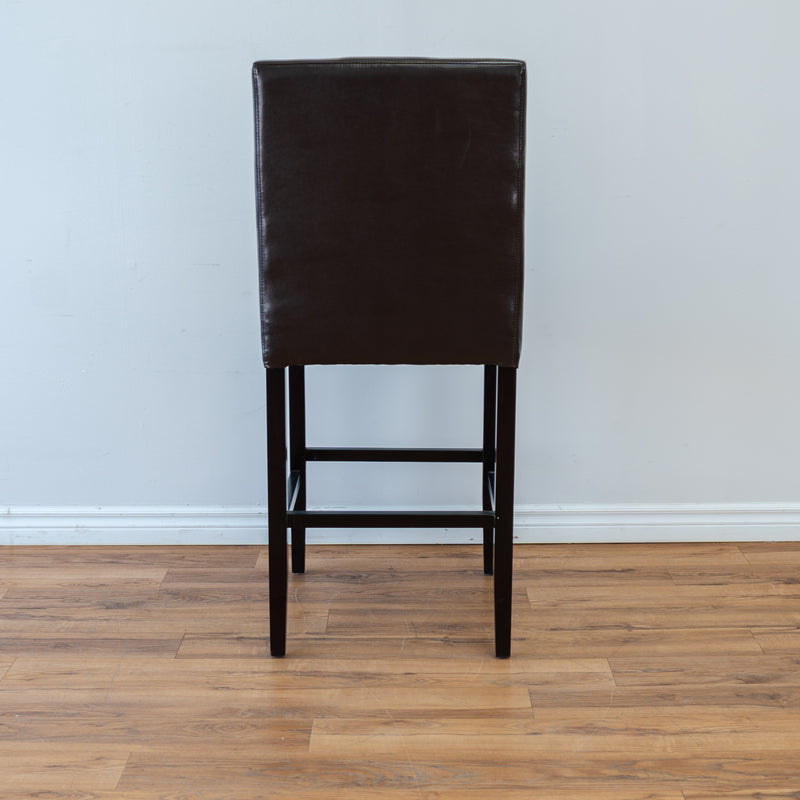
(390,231)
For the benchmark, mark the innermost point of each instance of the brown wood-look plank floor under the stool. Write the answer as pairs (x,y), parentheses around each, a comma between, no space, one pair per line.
(668,672)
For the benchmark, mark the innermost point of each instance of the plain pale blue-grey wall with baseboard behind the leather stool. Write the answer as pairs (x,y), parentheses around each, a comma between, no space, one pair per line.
(661,334)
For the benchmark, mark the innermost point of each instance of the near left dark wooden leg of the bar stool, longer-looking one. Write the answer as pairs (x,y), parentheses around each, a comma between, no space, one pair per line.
(276,507)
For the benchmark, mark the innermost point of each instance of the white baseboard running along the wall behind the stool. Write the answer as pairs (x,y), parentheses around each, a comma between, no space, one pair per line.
(168,525)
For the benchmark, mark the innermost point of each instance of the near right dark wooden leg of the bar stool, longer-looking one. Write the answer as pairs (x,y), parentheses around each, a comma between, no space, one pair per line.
(504,531)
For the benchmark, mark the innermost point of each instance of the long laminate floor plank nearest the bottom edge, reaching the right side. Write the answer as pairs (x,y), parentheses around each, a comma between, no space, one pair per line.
(583,773)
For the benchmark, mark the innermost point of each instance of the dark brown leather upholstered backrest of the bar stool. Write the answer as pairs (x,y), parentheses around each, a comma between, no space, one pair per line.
(390,210)
